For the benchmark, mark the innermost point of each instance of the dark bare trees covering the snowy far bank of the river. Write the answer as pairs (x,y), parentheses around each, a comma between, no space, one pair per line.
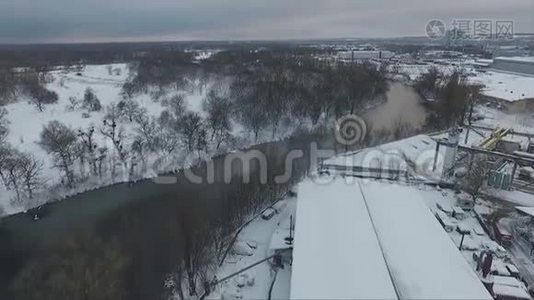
(262,91)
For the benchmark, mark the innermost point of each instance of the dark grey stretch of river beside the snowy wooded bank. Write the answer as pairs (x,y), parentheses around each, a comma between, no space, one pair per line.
(138,215)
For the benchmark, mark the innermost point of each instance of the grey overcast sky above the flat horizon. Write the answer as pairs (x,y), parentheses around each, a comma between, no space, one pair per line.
(28,21)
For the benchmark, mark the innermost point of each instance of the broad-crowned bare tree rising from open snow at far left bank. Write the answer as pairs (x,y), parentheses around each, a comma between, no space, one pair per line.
(59,140)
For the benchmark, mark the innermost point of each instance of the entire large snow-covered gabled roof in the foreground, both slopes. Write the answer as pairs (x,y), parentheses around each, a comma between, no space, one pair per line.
(358,240)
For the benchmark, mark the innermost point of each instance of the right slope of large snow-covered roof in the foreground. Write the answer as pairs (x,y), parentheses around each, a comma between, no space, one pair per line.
(424,261)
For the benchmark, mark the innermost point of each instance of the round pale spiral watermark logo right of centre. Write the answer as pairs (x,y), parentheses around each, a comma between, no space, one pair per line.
(350,129)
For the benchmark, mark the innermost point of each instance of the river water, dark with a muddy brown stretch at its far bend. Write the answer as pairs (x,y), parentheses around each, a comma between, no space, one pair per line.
(104,210)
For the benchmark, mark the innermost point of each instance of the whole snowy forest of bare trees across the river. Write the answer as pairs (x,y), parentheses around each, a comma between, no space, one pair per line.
(70,128)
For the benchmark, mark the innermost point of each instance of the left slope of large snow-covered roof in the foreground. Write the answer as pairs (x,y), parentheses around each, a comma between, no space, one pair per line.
(336,254)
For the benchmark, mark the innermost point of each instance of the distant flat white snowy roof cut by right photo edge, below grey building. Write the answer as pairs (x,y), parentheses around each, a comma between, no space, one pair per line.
(506,86)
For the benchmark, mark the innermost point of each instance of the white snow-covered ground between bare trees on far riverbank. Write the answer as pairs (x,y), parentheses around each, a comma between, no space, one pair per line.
(26,123)
